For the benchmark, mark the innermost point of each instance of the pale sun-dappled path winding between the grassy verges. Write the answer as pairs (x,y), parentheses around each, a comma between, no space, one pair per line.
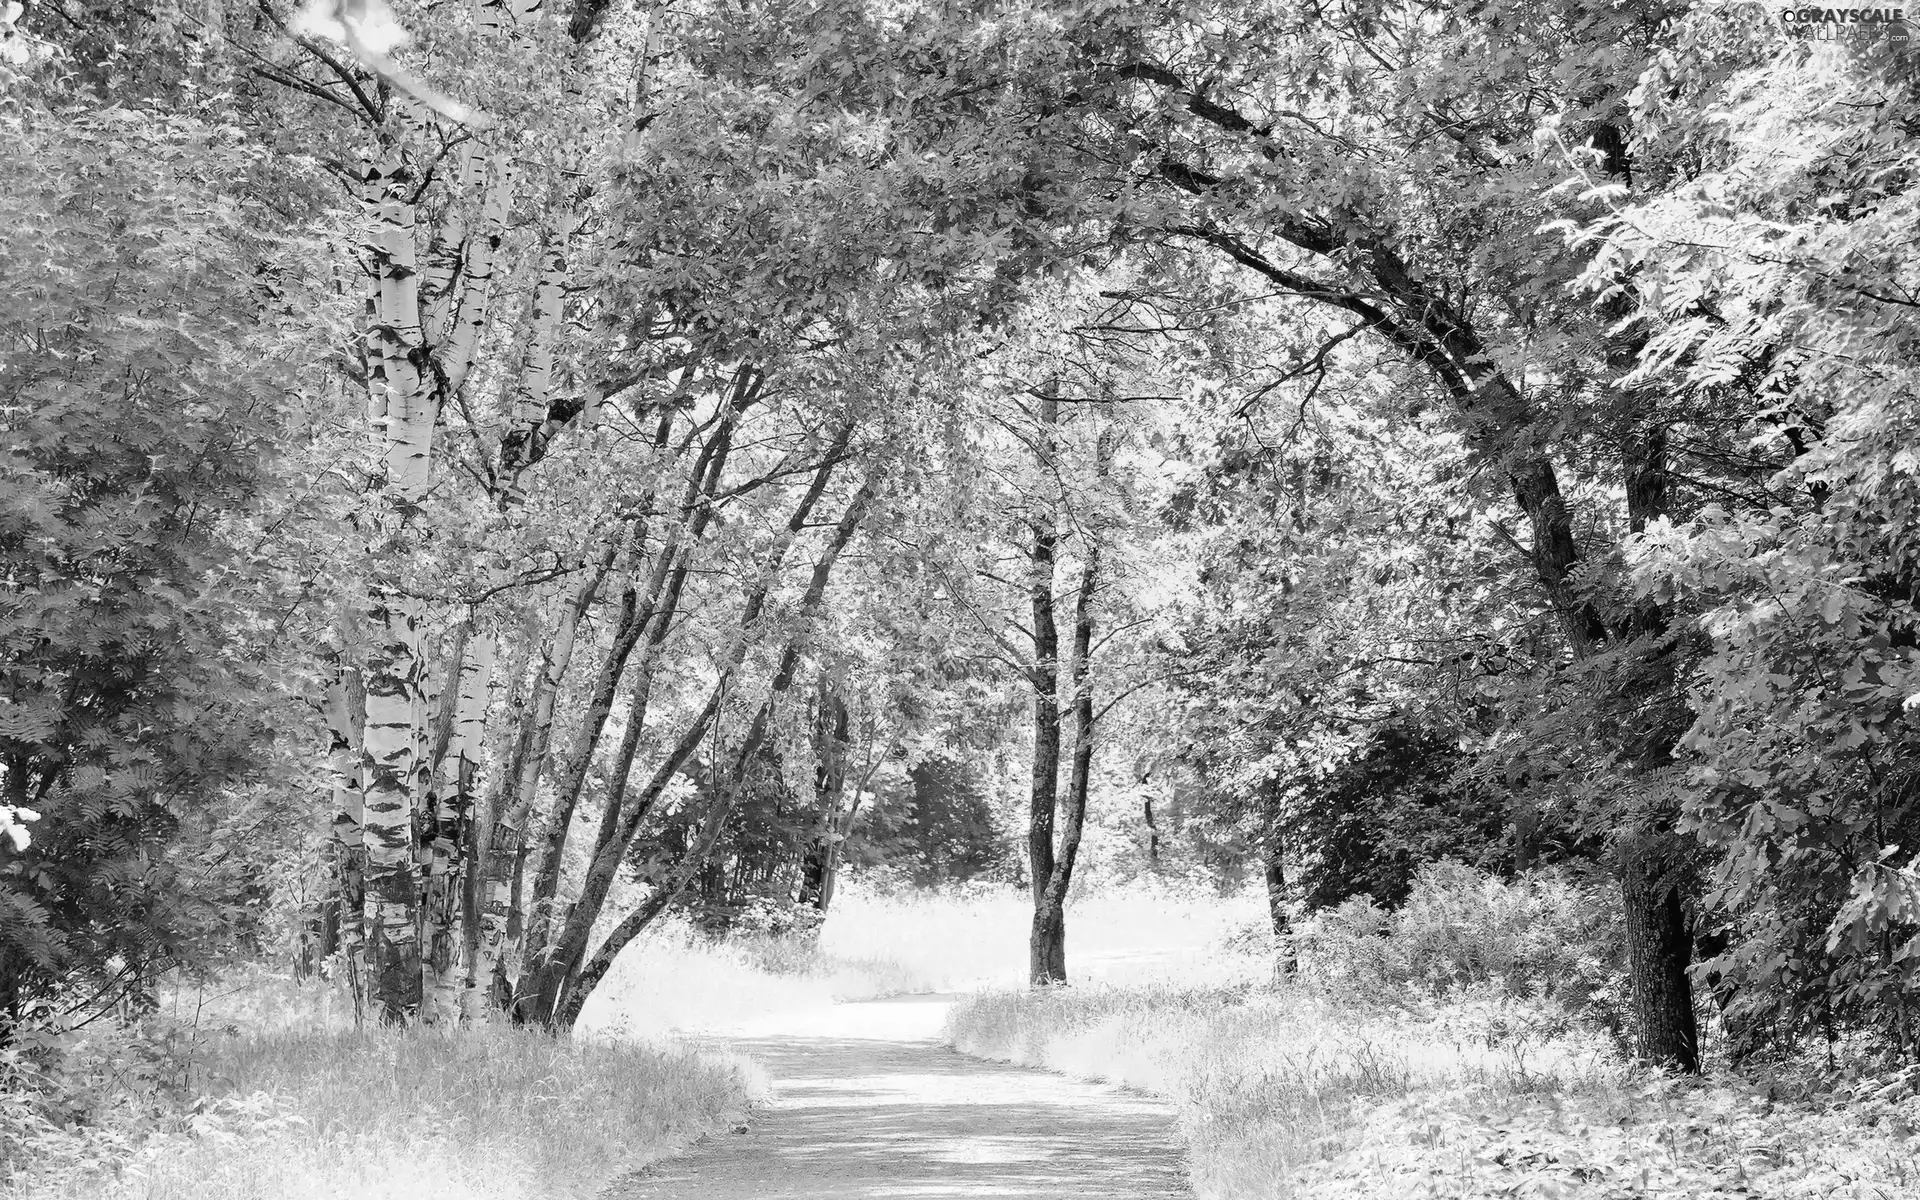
(869,1105)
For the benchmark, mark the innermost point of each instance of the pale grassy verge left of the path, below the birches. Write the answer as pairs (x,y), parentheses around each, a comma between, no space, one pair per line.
(276,1103)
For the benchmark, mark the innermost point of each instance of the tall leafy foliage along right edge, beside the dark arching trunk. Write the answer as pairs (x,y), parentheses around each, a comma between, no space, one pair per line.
(1769,241)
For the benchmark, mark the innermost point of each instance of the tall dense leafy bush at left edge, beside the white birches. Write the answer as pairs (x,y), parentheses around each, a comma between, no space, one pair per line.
(139,400)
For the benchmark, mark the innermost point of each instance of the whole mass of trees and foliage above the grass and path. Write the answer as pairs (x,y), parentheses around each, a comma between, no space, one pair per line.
(504,471)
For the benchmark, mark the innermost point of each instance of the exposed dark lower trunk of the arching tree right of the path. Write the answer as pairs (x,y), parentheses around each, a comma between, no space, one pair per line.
(1660,953)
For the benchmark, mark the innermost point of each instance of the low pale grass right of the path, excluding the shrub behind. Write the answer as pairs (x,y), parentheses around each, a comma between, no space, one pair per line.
(1287,1093)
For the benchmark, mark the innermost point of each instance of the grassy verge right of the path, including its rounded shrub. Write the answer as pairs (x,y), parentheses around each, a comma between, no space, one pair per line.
(1422,1059)
